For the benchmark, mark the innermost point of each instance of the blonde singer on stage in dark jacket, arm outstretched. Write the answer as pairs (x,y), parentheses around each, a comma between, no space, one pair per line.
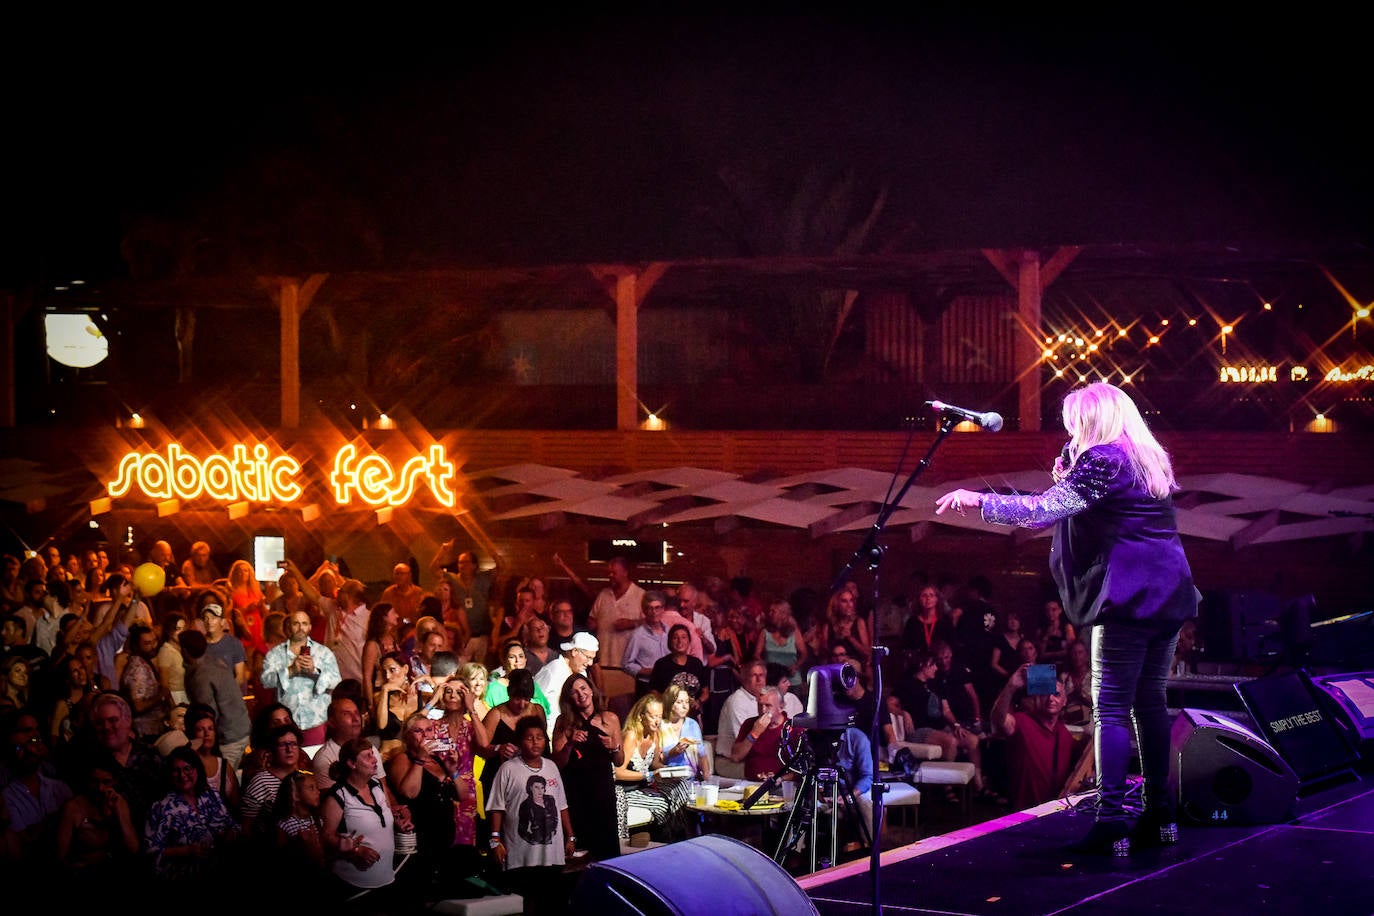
(1123,577)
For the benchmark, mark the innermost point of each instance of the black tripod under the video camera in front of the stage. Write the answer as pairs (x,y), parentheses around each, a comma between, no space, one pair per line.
(820,781)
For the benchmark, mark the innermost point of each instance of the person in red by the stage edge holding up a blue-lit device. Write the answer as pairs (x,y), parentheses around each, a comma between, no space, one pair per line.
(1039,748)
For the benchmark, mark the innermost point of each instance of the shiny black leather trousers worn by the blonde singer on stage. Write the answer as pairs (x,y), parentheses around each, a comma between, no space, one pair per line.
(1130,667)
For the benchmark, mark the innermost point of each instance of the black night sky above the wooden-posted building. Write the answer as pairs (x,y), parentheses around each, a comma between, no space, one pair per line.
(560,141)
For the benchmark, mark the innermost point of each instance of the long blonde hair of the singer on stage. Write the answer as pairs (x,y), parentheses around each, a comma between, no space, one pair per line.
(1103,414)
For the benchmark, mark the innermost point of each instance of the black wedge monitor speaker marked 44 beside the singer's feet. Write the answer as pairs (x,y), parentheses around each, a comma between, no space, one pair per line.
(1225,774)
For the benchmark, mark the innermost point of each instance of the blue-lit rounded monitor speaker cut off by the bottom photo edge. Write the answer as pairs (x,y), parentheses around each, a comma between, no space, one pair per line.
(710,874)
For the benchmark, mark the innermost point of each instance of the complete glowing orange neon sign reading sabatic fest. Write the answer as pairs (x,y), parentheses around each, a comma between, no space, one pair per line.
(258,476)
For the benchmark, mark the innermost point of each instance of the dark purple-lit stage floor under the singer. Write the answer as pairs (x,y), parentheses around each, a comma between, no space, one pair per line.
(1322,862)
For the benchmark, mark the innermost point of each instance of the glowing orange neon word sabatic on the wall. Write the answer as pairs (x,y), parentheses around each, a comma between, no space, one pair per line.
(178,474)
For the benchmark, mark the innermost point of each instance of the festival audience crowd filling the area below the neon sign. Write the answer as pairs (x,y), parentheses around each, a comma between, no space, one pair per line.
(181,734)
